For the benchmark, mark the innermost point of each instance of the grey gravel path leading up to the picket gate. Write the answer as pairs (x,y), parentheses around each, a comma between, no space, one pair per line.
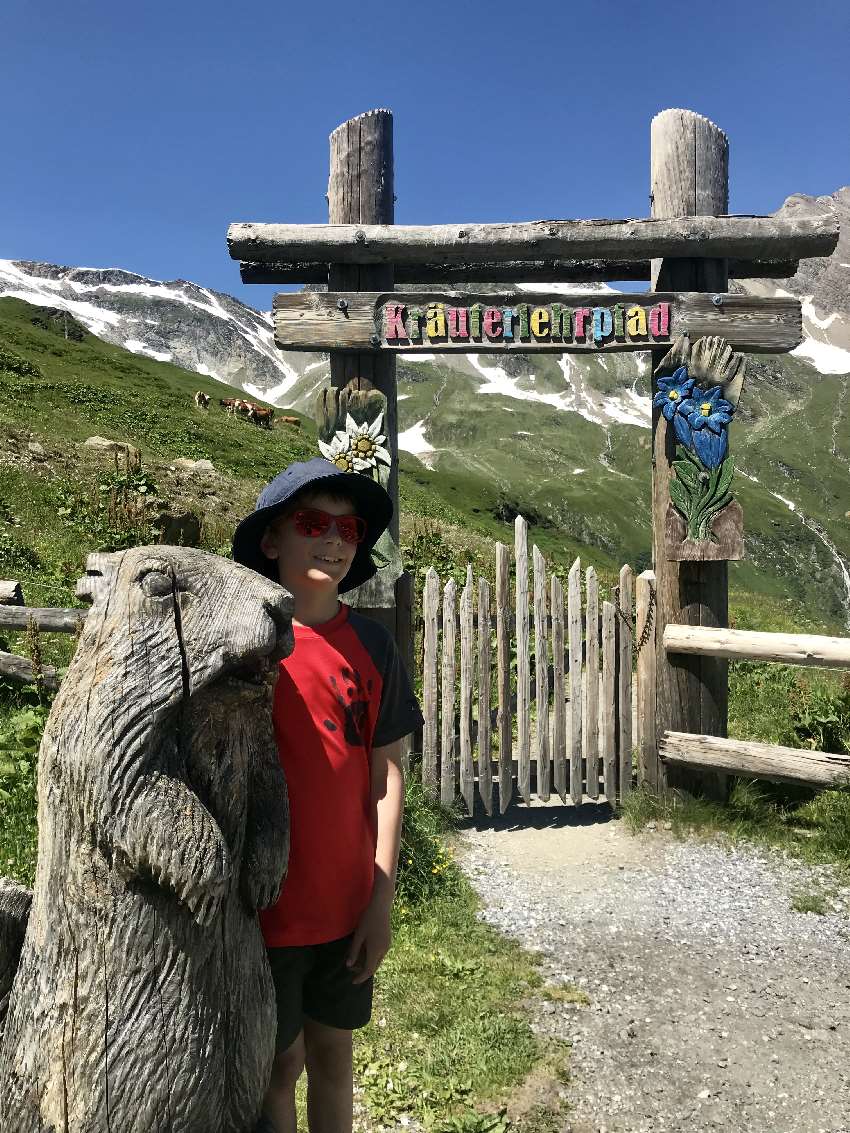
(713,1004)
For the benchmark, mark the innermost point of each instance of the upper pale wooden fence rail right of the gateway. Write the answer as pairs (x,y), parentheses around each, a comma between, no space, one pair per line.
(792,649)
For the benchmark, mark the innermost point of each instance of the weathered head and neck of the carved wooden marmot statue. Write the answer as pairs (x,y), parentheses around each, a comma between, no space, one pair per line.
(165,625)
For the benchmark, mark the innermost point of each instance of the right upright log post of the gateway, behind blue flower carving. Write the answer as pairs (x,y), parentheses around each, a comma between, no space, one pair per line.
(690,159)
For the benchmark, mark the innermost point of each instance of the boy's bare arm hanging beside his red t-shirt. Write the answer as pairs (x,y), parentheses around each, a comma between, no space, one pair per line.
(371,941)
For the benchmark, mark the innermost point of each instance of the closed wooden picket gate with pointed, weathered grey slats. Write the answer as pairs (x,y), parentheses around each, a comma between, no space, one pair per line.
(573,657)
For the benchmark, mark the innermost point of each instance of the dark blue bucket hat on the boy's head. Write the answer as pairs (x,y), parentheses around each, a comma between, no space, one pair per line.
(371,500)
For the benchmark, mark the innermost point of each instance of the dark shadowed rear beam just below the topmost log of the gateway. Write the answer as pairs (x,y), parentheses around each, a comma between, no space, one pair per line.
(524,271)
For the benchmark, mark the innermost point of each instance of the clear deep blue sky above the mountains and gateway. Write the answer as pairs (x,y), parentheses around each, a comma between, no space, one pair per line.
(133,135)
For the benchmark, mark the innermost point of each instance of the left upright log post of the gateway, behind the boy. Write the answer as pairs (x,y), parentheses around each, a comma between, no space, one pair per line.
(361,192)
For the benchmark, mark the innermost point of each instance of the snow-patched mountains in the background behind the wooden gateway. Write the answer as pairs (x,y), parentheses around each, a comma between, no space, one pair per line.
(564,438)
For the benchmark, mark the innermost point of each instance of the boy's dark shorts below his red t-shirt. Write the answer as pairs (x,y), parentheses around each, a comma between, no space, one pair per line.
(314,982)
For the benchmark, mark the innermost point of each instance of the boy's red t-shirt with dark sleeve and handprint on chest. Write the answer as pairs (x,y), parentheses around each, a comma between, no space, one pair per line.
(342,692)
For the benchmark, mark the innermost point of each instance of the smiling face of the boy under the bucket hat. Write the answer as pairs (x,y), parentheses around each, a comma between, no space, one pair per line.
(307,563)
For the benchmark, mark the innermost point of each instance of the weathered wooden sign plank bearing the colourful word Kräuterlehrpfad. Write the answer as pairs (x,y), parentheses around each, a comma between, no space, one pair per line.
(314,321)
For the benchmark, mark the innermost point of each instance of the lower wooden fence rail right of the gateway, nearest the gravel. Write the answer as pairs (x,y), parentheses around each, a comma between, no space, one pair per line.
(760,761)
